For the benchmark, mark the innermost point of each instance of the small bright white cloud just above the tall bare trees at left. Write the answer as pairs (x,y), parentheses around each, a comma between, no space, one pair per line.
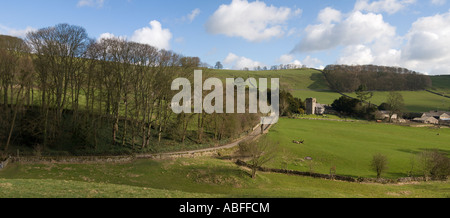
(154,35)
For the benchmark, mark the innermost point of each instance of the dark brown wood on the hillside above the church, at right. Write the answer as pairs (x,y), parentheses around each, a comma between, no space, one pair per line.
(346,78)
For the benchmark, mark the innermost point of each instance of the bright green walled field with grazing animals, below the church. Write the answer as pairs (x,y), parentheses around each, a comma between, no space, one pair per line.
(350,146)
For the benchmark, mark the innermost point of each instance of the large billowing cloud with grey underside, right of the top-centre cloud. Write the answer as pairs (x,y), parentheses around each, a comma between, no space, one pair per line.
(356,28)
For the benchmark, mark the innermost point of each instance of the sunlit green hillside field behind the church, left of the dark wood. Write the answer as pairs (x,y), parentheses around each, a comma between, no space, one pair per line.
(302,83)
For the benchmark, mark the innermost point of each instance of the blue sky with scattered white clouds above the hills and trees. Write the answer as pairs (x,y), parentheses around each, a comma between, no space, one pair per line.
(414,34)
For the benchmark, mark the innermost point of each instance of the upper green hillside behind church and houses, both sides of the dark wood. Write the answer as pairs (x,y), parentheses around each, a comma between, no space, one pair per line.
(305,83)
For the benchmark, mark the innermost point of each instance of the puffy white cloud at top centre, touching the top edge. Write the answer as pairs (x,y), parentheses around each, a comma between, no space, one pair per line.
(253,21)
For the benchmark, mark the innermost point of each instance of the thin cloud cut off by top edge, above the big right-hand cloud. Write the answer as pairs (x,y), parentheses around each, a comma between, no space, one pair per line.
(388,6)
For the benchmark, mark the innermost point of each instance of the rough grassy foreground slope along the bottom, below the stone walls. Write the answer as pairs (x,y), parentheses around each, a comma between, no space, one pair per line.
(192,178)
